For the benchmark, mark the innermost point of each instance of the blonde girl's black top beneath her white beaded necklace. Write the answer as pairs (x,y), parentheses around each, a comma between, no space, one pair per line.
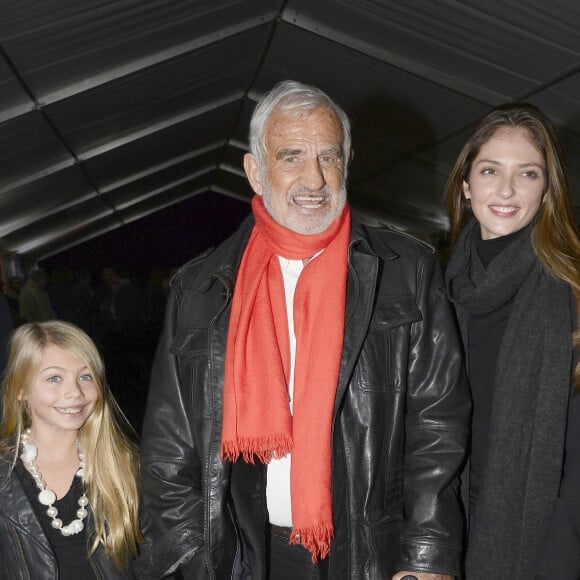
(70,551)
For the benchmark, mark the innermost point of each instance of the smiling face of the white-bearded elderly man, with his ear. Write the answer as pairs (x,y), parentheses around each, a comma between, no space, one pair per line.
(302,181)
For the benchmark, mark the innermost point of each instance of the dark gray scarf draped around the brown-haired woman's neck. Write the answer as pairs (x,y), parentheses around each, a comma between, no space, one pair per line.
(532,387)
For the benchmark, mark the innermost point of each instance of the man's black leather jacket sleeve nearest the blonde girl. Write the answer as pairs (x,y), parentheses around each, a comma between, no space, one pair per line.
(172,509)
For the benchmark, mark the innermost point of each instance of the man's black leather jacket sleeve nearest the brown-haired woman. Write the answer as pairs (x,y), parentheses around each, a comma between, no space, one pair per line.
(437,421)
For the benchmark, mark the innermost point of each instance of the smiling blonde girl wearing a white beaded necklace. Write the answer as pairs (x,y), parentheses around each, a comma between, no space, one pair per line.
(68,465)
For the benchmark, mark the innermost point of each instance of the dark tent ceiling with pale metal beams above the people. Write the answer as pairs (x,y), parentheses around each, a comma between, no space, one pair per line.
(113,110)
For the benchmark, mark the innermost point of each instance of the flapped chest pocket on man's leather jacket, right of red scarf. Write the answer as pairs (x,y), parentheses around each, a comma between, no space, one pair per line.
(382,364)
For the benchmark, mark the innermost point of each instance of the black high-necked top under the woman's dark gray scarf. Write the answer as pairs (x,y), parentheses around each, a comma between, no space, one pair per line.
(485,333)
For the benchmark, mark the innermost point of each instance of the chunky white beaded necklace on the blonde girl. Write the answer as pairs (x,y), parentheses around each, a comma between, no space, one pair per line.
(46,496)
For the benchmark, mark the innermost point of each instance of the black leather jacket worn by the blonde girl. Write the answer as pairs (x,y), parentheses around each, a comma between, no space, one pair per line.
(25,552)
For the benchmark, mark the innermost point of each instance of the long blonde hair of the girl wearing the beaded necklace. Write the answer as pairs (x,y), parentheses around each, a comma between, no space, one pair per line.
(107,439)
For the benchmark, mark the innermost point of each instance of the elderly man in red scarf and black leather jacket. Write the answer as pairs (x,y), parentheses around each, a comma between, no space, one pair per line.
(307,414)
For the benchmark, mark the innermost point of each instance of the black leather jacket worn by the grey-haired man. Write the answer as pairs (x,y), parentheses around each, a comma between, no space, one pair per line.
(399,432)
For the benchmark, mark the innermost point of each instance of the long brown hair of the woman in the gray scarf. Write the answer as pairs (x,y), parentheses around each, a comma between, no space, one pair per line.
(555,233)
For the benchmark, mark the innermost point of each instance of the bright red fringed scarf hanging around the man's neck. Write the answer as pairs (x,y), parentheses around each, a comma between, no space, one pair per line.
(256,419)
